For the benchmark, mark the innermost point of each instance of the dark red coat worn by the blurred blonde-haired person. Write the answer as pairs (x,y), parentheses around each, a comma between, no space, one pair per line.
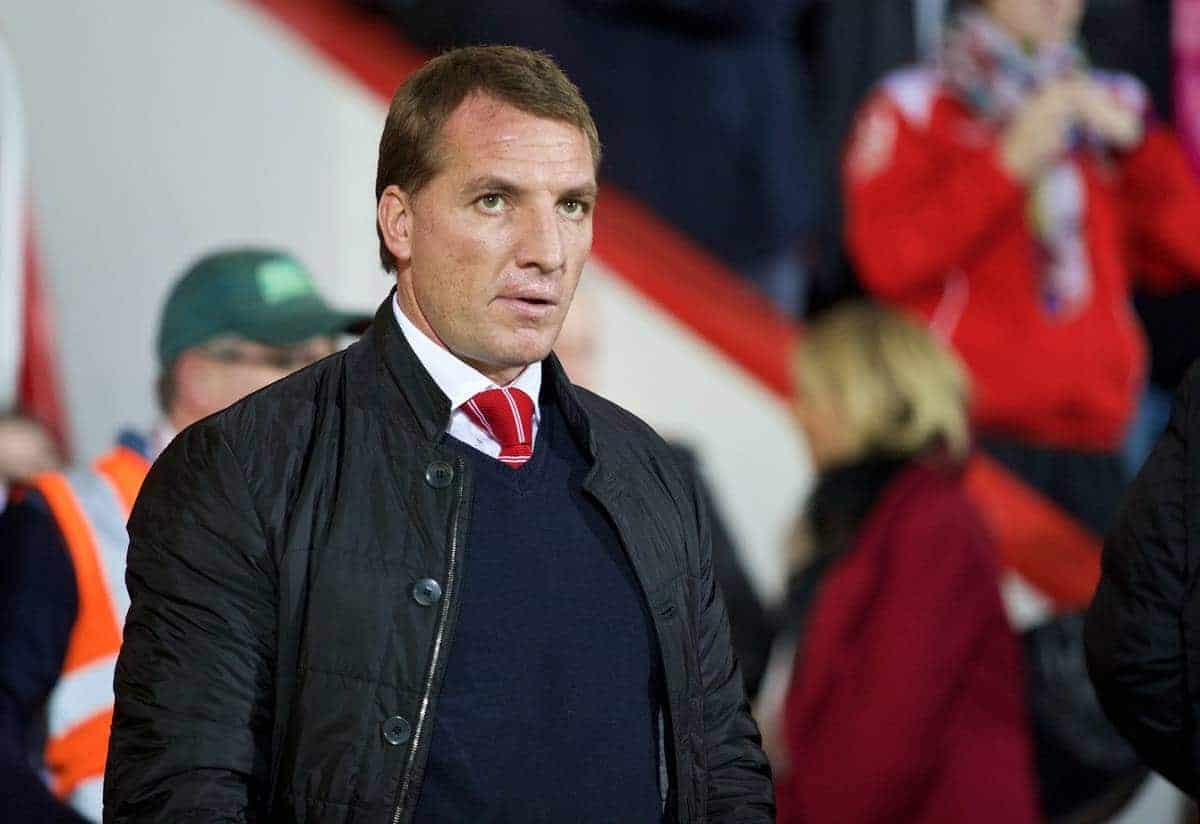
(908,700)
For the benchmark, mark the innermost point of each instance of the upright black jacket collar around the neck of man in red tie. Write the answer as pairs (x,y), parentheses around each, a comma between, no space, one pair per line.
(429,405)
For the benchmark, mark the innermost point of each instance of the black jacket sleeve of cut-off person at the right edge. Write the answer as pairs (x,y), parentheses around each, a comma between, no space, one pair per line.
(1142,618)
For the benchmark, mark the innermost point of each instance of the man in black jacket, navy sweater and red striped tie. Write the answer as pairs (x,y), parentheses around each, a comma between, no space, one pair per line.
(429,579)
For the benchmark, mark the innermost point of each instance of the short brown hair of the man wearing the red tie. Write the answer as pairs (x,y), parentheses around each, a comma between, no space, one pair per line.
(523,79)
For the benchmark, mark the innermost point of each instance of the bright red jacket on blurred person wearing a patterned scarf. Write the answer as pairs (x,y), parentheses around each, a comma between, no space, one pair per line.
(938,227)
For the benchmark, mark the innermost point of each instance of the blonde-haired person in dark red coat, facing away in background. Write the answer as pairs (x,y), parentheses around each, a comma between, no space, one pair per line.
(907,702)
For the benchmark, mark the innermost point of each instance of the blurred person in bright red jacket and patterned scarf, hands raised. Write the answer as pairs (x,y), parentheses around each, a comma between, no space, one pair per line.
(1009,194)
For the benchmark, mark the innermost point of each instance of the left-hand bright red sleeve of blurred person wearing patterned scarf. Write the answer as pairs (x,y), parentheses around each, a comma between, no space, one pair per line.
(917,209)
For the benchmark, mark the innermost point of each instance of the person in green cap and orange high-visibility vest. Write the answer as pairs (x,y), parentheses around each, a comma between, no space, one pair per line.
(236,322)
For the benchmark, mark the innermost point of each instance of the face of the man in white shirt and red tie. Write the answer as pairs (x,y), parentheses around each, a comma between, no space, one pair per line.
(490,251)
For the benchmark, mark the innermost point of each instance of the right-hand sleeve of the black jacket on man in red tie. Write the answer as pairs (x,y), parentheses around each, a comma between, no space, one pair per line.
(740,786)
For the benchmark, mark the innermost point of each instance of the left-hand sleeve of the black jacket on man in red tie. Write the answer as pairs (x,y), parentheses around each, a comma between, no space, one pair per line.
(193,721)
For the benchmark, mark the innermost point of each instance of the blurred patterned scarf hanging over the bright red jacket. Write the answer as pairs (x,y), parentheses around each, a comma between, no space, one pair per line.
(994,75)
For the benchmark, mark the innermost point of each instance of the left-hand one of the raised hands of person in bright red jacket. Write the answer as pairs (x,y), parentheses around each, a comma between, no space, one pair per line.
(1037,136)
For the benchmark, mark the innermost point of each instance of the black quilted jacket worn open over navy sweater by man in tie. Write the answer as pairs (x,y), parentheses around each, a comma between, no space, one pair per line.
(279,664)
